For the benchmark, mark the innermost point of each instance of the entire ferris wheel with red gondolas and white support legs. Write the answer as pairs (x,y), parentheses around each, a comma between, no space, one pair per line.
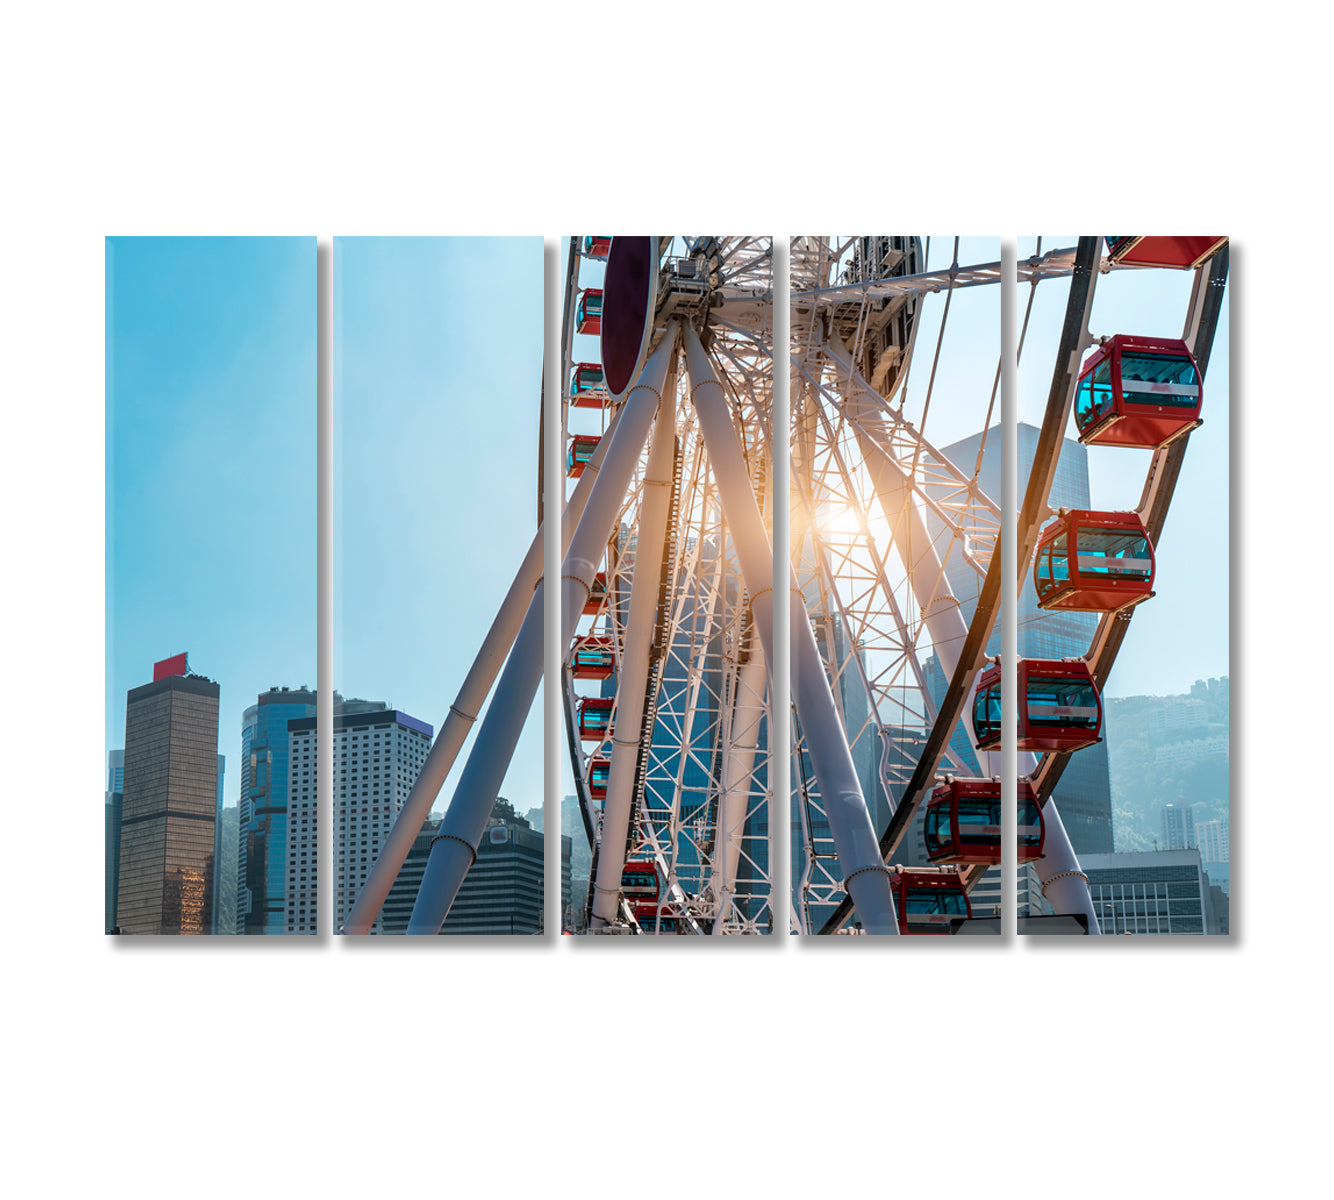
(668,587)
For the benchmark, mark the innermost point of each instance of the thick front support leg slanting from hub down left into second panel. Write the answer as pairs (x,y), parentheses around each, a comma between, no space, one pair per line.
(456,847)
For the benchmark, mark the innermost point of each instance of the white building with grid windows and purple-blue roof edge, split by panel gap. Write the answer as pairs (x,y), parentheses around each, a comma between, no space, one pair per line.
(378,755)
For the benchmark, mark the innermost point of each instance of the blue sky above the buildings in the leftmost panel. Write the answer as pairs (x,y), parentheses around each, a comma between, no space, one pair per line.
(210,469)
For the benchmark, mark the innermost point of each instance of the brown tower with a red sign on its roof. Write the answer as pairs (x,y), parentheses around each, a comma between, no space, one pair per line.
(170,810)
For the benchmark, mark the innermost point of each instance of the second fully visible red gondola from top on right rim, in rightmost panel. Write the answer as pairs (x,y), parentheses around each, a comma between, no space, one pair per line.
(1093,562)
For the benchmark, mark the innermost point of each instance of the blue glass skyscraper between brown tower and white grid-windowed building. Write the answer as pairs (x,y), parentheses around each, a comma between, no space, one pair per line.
(262,843)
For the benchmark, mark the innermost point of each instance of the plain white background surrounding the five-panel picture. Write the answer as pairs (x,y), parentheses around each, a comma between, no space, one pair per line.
(1100,1069)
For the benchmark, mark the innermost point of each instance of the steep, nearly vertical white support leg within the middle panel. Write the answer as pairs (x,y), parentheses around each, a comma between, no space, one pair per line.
(633,681)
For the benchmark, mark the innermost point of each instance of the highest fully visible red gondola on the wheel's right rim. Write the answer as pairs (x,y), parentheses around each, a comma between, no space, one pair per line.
(1139,391)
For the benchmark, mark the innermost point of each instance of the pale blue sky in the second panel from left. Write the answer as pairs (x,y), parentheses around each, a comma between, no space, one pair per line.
(437,387)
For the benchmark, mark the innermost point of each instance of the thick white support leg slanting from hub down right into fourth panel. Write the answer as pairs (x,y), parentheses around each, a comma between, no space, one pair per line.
(866,878)
